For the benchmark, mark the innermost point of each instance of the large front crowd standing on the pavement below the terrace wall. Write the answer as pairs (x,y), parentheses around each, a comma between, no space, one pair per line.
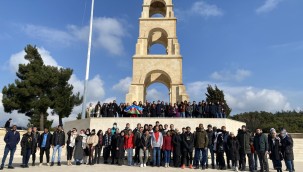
(156,145)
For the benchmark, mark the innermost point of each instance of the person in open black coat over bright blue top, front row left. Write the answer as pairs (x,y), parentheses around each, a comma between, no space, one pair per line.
(44,145)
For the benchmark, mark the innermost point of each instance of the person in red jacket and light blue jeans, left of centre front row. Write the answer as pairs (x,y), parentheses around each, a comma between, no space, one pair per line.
(129,145)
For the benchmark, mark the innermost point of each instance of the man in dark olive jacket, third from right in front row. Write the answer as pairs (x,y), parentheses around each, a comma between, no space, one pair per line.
(261,147)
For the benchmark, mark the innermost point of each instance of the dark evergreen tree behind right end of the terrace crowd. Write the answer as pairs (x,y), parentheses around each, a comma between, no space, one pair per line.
(215,95)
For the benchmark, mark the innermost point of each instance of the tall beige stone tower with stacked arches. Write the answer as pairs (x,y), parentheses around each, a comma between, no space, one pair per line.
(157,25)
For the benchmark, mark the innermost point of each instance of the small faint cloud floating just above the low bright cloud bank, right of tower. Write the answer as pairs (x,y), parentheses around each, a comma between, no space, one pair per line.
(227,75)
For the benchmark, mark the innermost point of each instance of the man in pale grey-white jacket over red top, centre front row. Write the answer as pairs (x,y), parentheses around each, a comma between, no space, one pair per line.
(156,143)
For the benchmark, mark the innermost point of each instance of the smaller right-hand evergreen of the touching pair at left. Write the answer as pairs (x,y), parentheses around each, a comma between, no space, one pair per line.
(62,95)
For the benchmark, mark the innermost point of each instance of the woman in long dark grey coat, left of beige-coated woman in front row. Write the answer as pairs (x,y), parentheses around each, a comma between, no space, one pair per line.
(80,145)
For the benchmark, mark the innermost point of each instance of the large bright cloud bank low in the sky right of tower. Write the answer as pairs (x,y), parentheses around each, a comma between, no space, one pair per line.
(244,99)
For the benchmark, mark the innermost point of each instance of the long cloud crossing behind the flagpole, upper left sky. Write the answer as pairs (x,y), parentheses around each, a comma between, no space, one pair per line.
(107,34)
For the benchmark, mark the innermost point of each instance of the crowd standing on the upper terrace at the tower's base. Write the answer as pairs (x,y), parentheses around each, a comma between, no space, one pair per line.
(184,109)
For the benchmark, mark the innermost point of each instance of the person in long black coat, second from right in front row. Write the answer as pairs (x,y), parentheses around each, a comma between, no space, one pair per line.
(274,150)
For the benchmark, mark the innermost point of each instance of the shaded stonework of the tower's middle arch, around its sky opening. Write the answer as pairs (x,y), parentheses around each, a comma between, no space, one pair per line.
(157,36)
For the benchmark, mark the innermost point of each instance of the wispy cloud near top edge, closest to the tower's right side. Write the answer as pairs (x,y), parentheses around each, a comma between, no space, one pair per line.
(204,9)
